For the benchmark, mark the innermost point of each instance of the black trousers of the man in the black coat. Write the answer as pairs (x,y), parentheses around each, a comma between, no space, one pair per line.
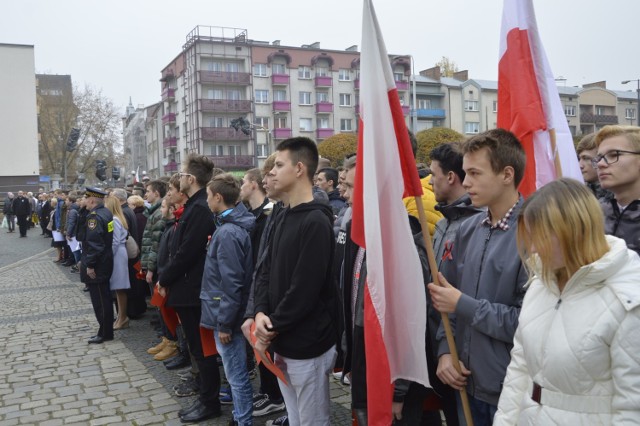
(208,366)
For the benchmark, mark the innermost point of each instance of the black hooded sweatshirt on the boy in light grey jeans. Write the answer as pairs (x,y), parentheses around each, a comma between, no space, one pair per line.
(295,288)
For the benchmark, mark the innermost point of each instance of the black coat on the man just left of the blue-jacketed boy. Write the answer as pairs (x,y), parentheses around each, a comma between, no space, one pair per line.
(187,252)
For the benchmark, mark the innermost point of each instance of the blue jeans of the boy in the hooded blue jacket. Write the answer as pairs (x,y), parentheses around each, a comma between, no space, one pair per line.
(234,360)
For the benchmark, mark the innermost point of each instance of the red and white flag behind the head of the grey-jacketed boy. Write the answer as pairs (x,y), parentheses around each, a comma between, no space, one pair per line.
(528,100)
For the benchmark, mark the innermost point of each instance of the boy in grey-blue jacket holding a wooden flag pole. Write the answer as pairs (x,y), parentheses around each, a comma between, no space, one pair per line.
(486,275)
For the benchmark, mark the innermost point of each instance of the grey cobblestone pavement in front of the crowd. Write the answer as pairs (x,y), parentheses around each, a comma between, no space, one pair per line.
(49,375)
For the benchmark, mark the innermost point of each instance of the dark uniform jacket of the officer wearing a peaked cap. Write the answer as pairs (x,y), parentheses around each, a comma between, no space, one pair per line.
(96,246)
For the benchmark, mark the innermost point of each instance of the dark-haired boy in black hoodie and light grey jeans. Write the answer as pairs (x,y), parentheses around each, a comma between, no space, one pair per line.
(295,299)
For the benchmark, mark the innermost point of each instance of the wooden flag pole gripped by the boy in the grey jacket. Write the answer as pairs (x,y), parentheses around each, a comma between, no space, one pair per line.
(445,318)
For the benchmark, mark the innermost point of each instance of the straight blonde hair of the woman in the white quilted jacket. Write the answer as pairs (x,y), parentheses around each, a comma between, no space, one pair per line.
(567,210)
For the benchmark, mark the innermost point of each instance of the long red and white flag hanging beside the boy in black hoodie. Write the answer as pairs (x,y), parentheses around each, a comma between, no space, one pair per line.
(395,300)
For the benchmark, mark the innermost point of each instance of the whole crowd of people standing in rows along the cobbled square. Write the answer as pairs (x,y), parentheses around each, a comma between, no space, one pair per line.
(542,293)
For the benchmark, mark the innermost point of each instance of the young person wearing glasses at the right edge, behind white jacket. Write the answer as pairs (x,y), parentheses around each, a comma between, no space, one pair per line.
(618,165)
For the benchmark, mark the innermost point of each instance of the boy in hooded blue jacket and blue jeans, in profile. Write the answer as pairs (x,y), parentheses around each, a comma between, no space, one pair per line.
(226,282)
